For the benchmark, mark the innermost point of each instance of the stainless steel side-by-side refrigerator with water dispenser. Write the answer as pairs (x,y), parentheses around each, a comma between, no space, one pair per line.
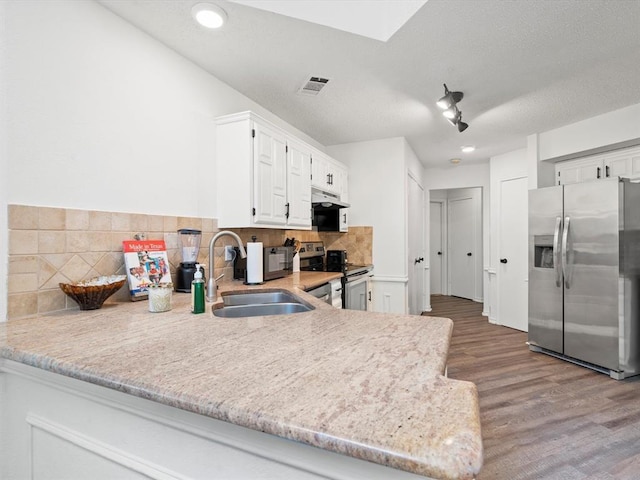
(584,272)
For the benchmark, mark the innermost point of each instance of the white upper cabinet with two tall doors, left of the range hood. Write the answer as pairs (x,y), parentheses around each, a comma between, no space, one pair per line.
(264,175)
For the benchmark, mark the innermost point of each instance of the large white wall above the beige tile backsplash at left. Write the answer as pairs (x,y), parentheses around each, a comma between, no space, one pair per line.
(104,117)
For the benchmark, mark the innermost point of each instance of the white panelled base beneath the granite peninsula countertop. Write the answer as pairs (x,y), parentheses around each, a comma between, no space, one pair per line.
(55,427)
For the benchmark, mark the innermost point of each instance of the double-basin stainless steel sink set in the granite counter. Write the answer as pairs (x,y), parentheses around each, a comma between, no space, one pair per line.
(257,304)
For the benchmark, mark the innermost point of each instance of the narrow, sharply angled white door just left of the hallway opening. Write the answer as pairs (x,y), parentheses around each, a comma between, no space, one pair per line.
(415,259)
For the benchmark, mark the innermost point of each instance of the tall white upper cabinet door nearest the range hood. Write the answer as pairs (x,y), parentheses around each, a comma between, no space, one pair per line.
(298,185)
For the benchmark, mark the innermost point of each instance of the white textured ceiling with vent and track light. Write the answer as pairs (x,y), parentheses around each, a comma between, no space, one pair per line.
(524,66)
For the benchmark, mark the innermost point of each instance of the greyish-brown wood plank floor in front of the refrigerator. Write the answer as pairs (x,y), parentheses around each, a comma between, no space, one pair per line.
(542,418)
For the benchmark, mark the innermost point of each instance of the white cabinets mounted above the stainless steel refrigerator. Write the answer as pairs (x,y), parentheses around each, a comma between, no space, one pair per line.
(618,163)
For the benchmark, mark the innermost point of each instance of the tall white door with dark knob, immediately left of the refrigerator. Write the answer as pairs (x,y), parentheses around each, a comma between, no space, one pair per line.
(512,251)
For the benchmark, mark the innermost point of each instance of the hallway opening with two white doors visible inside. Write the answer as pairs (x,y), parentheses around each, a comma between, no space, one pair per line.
(455,243)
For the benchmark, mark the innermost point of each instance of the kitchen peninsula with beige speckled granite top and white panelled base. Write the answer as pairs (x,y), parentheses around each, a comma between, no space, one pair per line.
(307,395)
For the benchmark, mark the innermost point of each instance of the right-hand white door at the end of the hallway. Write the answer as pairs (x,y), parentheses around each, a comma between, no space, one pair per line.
(462,243)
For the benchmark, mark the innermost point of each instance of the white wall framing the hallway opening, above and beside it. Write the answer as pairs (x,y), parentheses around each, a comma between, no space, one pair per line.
(464,176)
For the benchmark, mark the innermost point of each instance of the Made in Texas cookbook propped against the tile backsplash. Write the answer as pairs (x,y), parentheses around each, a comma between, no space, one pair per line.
(147,263)
